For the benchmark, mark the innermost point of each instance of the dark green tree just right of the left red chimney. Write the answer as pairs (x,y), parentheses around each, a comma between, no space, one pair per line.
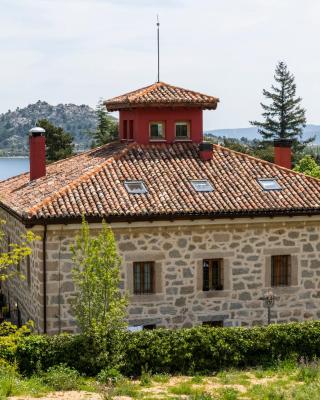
(59,144)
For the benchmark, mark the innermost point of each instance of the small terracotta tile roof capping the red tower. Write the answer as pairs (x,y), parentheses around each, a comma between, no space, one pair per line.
(162,94)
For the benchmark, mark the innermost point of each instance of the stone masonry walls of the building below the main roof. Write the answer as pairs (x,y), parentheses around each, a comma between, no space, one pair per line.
(178,251)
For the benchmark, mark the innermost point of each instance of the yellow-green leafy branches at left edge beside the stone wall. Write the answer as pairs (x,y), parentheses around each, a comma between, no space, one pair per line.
(15,253)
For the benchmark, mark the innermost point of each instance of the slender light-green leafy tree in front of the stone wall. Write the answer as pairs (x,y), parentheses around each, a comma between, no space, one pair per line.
(98,304)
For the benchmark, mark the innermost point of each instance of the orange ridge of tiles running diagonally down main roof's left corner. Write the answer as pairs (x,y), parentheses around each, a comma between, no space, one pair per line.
(83,178)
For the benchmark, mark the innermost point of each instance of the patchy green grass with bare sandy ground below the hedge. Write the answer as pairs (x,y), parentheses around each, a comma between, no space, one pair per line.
(284,381)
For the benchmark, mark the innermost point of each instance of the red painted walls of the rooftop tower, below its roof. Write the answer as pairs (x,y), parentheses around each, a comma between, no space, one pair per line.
(141,117)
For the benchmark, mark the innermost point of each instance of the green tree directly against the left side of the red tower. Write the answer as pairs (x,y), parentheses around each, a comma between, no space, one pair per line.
(107,127)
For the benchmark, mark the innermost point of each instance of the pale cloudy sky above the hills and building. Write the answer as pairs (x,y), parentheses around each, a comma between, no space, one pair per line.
(81,50)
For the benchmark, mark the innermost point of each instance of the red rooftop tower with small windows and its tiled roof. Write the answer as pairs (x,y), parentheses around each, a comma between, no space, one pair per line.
(161,113)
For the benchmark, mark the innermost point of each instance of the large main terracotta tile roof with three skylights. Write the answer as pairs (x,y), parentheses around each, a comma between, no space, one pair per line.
(92,183)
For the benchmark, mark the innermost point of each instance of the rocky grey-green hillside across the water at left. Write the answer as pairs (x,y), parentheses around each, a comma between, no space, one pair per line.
(14,125)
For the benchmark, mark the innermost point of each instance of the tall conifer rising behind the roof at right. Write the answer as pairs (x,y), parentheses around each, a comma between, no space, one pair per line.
(284,118)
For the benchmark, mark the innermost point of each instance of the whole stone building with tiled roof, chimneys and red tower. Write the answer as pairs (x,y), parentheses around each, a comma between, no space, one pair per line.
(204,232)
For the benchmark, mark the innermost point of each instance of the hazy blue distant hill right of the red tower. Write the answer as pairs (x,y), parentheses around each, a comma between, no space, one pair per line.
(252,133)
